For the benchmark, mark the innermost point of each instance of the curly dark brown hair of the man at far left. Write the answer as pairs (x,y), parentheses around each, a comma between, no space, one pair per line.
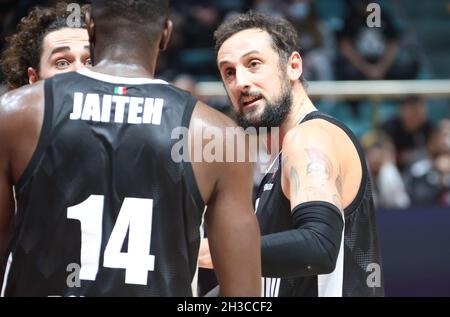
(24,48)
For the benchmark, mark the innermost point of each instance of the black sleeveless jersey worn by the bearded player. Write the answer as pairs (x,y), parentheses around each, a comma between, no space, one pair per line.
(358,268)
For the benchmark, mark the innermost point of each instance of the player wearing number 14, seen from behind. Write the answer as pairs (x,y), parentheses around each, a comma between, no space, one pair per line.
(103,208)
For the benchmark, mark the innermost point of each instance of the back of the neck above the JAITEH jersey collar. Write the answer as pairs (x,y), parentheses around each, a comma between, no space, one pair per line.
(125,62)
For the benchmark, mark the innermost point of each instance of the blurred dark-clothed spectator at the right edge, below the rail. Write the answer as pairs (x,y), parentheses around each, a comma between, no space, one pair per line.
(428,180)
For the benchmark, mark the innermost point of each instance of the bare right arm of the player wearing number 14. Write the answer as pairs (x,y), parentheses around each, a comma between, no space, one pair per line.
(231,224)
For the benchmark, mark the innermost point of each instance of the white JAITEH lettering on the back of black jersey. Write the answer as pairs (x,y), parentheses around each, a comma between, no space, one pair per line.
(93,107)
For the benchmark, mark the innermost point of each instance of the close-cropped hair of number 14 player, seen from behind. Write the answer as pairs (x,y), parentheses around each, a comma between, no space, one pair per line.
(134,15)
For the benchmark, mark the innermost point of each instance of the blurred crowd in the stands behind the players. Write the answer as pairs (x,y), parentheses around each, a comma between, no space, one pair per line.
(407,141)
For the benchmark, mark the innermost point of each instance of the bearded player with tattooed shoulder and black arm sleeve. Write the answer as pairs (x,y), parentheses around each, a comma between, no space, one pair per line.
(315,205)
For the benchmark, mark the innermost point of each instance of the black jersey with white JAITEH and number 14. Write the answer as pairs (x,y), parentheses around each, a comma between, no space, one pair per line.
(104,207)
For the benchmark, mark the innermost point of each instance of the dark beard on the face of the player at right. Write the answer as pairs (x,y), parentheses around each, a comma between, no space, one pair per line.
(274,113)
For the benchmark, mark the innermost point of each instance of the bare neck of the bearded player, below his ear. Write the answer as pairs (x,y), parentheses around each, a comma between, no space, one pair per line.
(301,106)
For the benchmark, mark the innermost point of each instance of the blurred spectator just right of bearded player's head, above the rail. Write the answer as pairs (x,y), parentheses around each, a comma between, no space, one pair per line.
(316,40)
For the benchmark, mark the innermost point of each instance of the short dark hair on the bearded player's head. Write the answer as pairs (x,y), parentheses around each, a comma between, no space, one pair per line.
(285,38)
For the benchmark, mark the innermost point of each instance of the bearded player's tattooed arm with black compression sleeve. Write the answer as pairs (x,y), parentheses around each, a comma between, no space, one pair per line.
(312,181)
